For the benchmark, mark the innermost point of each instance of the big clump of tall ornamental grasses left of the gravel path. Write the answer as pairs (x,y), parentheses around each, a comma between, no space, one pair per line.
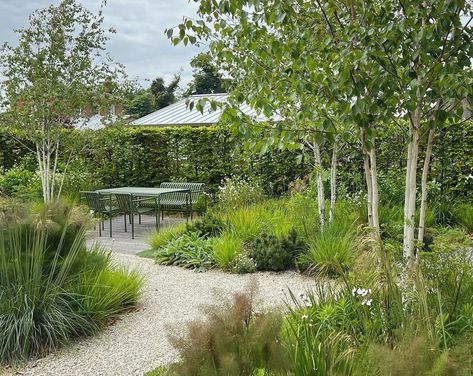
(52,288)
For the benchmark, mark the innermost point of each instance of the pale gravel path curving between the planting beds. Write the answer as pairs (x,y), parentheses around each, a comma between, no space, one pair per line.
(171,297)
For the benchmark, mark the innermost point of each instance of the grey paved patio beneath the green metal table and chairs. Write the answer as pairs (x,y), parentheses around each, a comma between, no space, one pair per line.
(121,241)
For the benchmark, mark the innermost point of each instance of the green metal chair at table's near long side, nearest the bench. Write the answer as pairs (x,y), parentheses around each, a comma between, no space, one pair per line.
(131,205)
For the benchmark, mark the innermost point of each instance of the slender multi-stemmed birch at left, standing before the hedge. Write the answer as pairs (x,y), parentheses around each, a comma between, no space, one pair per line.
(57,69)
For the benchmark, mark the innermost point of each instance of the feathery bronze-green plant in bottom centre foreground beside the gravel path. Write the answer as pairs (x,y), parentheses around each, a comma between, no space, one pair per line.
(232,340)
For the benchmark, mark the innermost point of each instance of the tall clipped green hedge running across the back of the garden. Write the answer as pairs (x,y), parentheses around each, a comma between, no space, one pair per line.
(147,156)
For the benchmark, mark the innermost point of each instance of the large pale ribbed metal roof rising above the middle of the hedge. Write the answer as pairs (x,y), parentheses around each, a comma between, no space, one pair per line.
(179,114)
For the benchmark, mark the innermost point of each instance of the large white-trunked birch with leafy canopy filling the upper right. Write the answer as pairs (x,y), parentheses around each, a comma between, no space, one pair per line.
(369,62)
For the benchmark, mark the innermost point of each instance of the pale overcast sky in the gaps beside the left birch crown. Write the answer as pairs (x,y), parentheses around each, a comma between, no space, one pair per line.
(139,44)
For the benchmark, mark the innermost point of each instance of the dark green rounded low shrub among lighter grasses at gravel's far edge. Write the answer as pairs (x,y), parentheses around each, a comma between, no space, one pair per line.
(272,253)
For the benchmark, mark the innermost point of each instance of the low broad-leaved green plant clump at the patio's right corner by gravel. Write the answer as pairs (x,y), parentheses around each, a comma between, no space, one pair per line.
(189,250)
